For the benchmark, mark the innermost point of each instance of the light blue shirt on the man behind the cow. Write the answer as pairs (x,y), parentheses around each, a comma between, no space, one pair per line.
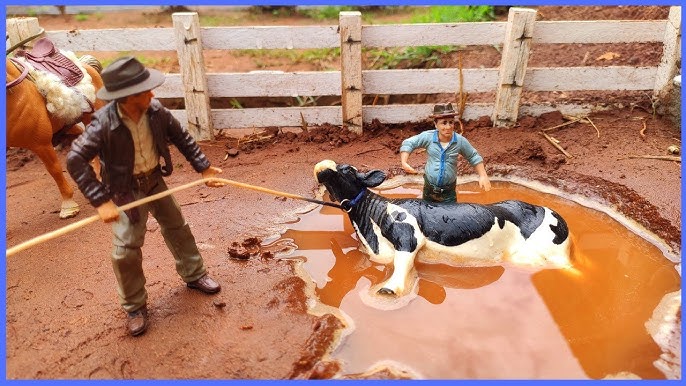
(441,164)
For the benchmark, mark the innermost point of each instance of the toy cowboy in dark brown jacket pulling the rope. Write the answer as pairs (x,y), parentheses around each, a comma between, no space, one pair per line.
(130,134)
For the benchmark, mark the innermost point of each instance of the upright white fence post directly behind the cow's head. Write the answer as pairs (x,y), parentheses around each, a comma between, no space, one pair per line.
(350,25)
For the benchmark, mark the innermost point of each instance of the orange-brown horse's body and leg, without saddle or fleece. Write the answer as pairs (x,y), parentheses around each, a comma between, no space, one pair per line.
(31,126)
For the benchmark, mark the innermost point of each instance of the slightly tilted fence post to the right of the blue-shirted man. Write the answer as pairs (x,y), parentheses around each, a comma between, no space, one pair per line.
(516,47)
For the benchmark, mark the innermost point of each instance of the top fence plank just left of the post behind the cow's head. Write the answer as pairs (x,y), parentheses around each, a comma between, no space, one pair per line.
(270,37)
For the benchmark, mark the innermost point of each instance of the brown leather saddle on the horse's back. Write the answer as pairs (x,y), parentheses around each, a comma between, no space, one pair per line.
(43,56)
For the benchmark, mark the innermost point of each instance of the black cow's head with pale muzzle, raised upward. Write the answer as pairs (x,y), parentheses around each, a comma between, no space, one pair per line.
(343,181)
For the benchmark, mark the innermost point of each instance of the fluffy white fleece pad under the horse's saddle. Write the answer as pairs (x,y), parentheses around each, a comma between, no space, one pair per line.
(64,102)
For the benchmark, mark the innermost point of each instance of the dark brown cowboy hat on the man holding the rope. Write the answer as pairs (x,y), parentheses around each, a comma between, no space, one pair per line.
(127,76)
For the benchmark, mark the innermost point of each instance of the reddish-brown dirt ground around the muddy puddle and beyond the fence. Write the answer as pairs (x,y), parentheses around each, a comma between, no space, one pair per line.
(63,317)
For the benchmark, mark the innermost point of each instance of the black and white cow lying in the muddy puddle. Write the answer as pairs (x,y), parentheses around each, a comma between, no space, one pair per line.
(457,234)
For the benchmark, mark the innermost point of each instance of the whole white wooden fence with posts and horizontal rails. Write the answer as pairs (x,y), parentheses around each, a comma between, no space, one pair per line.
(516,35)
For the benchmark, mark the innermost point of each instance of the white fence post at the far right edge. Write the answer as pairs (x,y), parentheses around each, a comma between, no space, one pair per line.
(671,52)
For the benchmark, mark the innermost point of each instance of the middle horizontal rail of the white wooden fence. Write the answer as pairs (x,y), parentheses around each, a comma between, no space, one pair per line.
(397,82)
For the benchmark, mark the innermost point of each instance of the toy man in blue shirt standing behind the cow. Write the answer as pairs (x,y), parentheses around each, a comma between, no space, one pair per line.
(443,145)
